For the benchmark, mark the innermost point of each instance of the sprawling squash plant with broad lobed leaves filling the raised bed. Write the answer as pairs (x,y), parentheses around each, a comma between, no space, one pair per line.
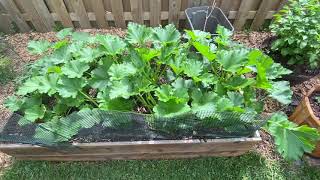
(154,69)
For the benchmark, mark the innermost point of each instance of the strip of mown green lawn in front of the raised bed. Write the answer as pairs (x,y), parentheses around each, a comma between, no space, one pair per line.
(250,166)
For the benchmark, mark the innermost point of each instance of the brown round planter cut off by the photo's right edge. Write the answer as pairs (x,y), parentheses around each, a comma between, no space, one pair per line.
(303,114)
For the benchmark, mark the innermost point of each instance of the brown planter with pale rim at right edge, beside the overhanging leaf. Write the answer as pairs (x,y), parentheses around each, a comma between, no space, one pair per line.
(308,112)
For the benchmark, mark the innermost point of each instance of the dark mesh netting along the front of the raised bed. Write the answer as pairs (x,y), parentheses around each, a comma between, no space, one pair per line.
(108,126)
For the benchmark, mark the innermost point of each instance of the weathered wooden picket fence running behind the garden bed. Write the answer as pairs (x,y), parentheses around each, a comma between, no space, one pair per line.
(44,15)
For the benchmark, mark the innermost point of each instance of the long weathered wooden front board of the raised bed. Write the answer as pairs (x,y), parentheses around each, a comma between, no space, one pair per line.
(162,149)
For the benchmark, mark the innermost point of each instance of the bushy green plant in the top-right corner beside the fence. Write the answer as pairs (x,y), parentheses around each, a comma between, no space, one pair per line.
(297,26)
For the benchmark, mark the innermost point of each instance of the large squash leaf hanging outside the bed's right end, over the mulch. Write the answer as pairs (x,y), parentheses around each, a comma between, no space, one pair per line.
(292,140)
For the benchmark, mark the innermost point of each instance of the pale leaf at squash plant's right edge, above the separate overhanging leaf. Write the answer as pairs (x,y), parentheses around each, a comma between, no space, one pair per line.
(281,92)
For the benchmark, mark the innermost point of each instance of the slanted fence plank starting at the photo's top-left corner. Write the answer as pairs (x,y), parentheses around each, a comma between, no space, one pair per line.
(15,15)
